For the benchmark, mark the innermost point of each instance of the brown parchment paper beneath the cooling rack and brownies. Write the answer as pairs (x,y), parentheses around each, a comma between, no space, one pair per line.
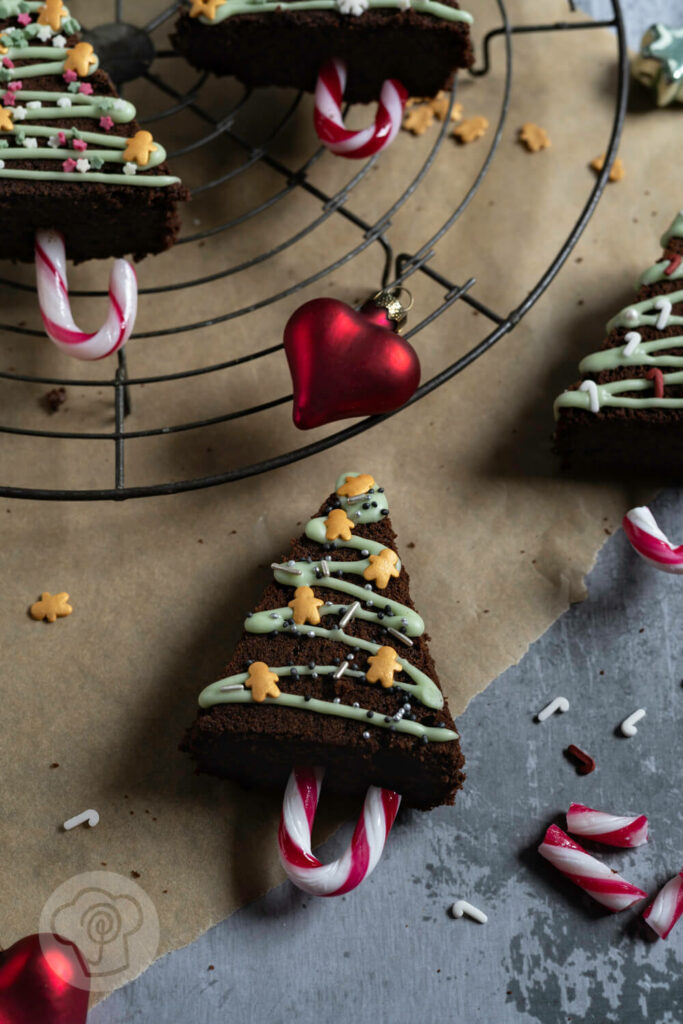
(501,542)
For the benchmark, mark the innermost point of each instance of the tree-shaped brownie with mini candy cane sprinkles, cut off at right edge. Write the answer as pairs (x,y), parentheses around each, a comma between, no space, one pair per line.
(627,414)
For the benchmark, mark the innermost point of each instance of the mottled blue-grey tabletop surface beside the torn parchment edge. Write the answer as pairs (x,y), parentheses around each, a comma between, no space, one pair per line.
(391,954)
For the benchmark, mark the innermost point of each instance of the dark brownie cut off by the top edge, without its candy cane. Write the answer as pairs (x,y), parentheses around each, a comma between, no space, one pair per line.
(287,45)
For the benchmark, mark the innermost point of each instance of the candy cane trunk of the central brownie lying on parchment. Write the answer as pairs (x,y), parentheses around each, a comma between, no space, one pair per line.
(362,856)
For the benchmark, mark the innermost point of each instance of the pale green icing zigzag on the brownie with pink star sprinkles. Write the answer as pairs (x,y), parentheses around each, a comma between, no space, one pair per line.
(51,61)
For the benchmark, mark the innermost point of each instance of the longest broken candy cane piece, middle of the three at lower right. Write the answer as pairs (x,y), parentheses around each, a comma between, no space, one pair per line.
(597,880)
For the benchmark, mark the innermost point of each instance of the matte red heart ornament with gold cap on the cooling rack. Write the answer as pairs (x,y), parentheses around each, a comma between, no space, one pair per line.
(347,363)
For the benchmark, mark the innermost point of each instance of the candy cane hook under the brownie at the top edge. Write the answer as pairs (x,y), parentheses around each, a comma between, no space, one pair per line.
(330,123)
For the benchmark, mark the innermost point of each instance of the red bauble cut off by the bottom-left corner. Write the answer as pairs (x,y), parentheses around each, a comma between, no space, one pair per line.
(35,987)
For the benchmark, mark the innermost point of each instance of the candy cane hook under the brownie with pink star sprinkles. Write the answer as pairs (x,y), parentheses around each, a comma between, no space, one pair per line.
(56,309)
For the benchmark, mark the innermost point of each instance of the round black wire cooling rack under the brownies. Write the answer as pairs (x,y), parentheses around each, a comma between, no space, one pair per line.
(119,42)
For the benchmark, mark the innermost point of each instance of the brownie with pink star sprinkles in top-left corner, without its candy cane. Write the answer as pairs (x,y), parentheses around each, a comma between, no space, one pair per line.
(72,156)
